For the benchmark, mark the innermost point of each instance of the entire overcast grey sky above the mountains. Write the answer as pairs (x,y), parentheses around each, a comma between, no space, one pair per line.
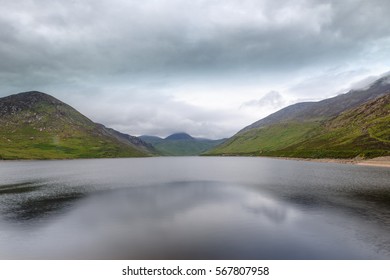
(205,67)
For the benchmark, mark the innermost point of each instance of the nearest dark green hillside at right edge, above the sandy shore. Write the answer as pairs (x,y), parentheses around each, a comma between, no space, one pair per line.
(363,131)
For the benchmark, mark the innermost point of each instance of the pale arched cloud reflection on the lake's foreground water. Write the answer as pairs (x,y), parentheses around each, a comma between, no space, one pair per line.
(180,220)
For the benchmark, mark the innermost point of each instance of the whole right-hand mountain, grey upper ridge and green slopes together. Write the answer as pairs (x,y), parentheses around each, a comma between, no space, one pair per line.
(346,126)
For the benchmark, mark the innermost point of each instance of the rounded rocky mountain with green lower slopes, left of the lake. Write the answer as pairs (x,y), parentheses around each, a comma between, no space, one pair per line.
(35,125)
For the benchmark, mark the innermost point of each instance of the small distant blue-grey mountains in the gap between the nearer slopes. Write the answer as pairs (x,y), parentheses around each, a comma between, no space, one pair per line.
(180,144)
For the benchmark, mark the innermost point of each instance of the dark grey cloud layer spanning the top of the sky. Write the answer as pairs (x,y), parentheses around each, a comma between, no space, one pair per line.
(110,37)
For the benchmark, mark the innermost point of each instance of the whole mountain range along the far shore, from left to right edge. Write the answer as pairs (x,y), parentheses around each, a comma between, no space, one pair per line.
(354,125)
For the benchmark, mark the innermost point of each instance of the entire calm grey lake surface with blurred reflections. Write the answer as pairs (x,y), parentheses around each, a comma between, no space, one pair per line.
(193,208)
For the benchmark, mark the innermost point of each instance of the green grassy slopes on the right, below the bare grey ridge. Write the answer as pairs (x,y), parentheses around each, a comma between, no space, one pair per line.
(360,132)
